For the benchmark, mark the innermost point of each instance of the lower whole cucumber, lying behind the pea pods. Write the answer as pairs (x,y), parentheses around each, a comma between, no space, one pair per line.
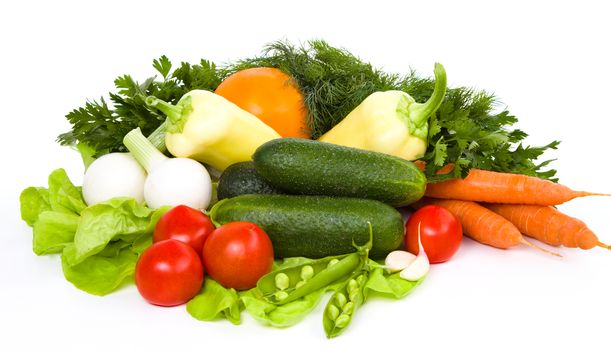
(316,226)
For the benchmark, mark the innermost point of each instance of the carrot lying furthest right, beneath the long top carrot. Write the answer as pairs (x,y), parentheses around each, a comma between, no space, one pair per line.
(548,225)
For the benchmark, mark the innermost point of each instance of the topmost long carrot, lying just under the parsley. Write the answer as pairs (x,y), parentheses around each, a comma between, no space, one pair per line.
(495,187)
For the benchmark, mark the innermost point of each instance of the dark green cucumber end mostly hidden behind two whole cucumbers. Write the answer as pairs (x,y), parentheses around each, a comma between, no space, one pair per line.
(242,178)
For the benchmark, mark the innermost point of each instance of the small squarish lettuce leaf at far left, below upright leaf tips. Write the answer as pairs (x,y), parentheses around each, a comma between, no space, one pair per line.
(53,231)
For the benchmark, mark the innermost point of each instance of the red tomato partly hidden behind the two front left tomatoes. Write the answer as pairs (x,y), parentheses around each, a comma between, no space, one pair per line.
(184,224)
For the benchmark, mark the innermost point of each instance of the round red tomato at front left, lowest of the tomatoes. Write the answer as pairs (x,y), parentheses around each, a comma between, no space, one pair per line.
(169,273)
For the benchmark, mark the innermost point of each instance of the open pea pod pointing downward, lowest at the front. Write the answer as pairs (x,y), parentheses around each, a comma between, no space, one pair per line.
(344,302)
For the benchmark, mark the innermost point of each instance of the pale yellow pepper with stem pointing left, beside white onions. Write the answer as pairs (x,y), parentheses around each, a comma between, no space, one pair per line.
(208,128)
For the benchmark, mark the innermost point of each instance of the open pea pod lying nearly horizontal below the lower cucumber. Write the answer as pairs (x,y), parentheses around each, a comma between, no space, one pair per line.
(323,275)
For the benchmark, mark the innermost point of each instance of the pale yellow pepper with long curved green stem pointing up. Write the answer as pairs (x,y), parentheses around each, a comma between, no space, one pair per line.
(390,122)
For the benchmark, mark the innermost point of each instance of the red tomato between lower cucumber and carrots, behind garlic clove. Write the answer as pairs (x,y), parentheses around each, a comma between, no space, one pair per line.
(440,233)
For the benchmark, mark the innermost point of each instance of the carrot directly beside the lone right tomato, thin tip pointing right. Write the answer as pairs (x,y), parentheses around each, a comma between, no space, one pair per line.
(484,225)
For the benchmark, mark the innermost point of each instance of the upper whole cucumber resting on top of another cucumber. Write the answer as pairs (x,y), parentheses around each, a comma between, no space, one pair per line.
(299,166)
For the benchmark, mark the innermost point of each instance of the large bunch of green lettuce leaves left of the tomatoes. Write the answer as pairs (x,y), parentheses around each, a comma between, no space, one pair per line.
(100,244)
